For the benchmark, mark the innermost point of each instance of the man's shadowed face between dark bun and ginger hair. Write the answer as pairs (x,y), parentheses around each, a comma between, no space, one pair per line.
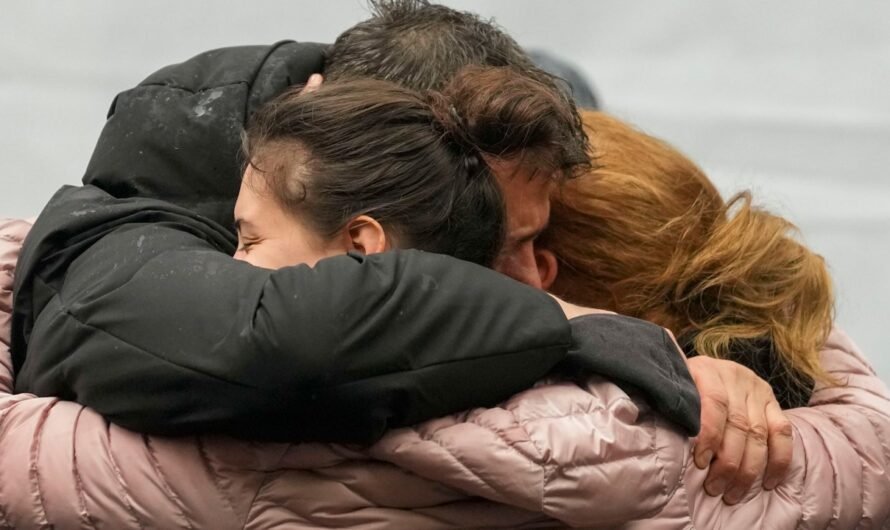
(527,200)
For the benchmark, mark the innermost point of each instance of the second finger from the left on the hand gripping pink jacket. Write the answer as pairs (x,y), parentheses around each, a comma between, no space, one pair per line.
(735,437)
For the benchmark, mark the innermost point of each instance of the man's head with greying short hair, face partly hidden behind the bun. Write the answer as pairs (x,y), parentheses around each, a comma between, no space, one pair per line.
(423,46)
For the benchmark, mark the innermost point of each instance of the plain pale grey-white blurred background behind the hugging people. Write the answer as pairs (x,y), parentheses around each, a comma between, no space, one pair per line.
(788,98)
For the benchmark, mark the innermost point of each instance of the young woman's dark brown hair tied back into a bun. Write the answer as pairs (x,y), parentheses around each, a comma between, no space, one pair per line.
(415,162)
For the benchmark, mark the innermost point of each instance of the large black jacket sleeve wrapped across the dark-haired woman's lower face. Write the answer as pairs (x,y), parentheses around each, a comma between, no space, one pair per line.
(162,333)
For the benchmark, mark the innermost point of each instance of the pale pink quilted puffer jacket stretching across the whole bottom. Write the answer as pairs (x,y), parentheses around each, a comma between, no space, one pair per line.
(555,455)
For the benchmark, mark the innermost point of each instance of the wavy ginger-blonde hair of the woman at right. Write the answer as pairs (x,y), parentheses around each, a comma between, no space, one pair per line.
(646,234)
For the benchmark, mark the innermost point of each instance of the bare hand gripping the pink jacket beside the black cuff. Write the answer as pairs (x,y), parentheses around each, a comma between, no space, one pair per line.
(743,425)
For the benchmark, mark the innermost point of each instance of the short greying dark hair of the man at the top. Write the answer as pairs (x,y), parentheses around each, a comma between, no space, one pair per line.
(422,46)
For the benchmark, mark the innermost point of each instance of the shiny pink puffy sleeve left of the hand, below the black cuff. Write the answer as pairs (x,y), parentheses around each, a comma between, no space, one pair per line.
(587,455)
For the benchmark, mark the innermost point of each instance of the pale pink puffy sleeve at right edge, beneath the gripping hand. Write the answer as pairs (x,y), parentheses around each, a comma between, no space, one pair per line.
(839,473)
